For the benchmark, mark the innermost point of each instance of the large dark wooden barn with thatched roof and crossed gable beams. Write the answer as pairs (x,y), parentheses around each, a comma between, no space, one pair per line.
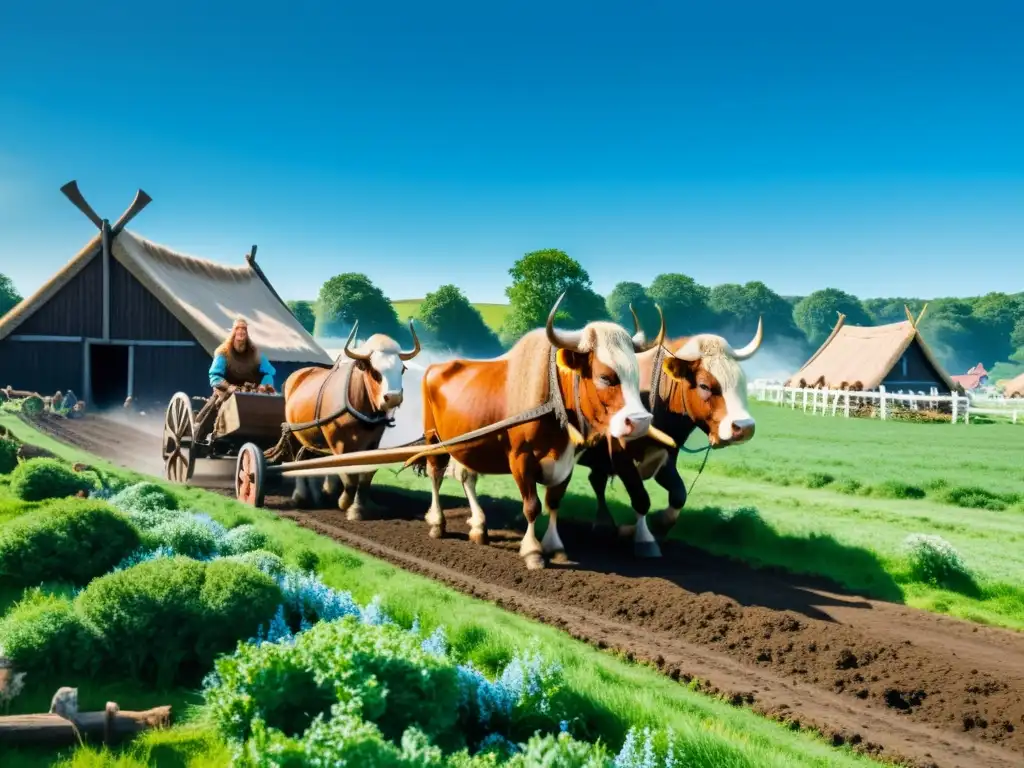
(127,317)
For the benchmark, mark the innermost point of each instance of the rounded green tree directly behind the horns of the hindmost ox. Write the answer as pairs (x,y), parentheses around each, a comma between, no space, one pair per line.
(352,297)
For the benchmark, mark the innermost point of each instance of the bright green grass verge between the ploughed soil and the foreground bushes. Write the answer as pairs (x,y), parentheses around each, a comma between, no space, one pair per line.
(617,694)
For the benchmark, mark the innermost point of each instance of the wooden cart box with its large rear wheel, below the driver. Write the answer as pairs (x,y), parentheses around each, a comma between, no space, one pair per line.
(219,429)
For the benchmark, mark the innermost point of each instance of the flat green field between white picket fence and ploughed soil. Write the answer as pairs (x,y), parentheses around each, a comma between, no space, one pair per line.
(839,497)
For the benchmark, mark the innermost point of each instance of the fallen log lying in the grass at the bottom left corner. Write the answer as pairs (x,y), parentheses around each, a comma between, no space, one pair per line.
(107,728)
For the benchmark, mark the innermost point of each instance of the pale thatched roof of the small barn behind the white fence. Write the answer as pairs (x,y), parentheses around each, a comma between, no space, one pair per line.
(865,355)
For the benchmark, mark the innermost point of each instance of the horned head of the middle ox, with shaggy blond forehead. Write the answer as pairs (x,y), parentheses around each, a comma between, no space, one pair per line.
(606,358)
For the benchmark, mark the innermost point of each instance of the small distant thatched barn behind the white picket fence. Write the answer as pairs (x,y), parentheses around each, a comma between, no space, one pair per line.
(865,358)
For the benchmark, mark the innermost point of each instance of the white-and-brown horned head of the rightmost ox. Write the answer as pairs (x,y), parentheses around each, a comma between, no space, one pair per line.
(714,388)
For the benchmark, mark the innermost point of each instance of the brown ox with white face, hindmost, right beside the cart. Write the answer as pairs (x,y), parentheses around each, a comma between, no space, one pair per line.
(355,402)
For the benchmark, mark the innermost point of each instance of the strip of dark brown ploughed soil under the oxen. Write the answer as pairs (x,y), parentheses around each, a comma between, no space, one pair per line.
(890,680)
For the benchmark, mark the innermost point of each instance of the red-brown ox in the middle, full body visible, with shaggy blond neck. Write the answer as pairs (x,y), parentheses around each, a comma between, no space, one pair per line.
(461,396)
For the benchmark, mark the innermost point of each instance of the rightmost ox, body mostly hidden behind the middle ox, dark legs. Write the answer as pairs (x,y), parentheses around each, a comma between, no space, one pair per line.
(699,386)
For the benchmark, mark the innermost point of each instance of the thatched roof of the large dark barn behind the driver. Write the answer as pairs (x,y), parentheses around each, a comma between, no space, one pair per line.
(204,296)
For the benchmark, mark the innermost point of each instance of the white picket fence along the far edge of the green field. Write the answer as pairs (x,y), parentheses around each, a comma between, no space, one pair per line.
(833,402)
